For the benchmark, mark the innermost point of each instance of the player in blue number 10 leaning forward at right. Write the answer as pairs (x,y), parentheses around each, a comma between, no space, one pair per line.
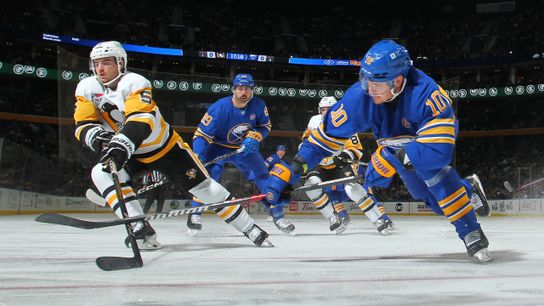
(415,126)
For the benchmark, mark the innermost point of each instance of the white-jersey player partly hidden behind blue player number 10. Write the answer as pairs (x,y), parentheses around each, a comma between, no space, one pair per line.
(333,167)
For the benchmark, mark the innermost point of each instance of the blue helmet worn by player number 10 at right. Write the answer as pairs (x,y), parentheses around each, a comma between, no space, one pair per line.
(383,62)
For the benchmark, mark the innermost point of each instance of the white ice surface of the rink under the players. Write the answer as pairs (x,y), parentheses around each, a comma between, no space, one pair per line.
(423,263)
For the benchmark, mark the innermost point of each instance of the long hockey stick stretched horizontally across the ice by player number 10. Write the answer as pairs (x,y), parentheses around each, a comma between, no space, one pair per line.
(83,224)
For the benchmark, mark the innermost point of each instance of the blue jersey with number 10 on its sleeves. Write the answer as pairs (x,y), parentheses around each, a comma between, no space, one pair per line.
(420,117)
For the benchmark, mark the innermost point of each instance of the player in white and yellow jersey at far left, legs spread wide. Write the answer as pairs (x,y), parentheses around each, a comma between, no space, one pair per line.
(117,118)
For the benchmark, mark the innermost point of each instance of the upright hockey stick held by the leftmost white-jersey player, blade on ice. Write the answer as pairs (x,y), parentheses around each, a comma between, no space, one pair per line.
(111,263)
